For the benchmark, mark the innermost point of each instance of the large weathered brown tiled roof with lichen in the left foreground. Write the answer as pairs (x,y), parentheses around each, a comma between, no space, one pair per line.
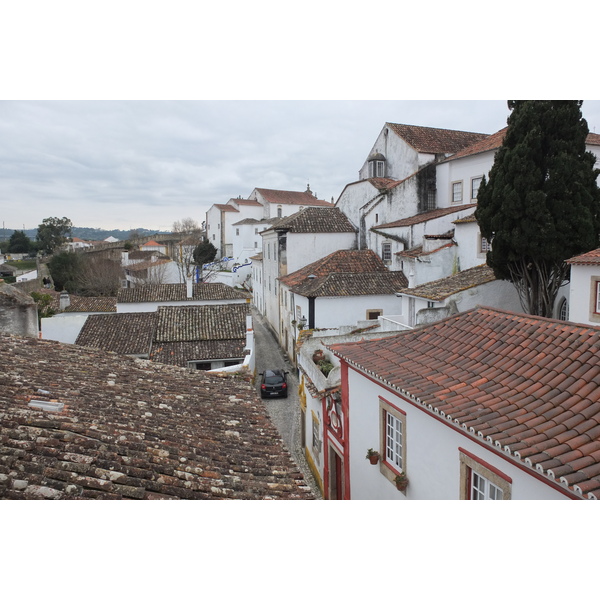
(133,429)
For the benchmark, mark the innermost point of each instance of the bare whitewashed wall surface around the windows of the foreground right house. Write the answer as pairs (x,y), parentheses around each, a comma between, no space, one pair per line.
(432,455)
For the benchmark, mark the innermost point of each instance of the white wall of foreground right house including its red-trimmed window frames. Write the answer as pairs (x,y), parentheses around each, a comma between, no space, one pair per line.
(433,450)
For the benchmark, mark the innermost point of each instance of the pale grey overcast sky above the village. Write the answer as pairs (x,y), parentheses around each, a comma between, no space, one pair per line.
(129,164)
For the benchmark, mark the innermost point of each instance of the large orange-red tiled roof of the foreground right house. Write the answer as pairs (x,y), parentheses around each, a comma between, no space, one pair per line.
(527,386)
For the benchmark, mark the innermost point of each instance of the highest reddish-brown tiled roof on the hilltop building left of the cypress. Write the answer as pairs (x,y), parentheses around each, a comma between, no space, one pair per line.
(431,140)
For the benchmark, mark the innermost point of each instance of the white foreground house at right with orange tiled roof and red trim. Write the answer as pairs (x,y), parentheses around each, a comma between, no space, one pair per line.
(485,404)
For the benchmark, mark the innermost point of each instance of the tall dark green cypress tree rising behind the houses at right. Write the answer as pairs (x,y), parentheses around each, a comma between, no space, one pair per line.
(541,204)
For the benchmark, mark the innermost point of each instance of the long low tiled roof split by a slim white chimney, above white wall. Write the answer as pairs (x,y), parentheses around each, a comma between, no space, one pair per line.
(177,292)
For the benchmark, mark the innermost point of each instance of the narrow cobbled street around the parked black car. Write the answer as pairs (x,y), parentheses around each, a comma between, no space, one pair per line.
(284,412)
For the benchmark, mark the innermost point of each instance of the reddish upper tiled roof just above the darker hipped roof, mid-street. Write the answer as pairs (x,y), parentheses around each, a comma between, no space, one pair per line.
(340,261)
